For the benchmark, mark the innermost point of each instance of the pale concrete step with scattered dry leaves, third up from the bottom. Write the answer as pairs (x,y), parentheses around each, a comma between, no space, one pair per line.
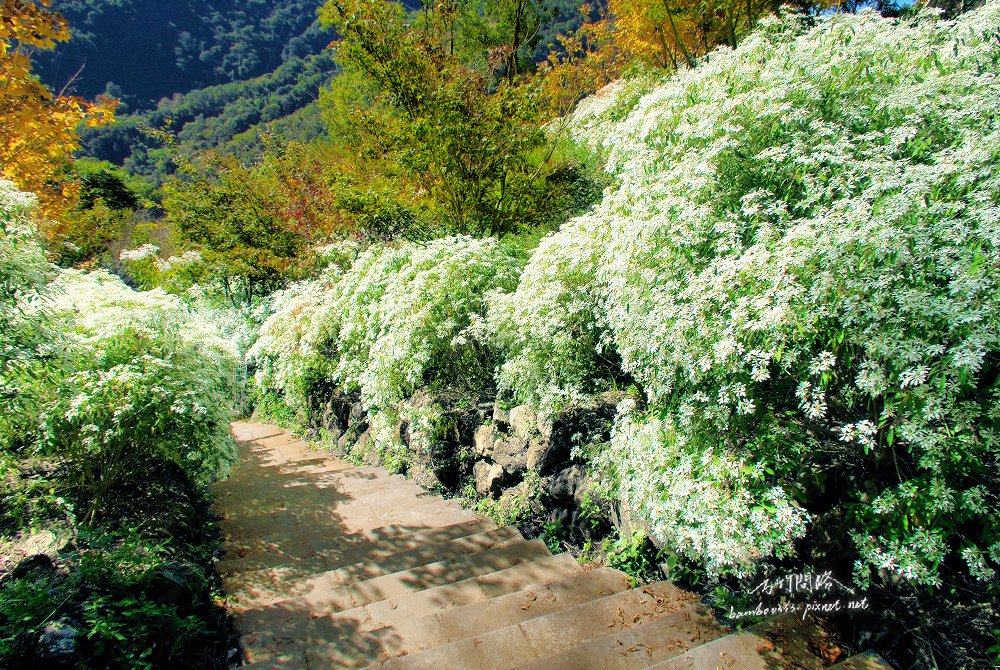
(555,633)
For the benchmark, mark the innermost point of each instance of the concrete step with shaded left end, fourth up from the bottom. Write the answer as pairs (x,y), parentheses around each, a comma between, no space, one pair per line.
(411,634)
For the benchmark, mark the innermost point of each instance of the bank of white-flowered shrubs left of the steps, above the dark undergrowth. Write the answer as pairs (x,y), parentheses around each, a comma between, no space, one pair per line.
(112,377)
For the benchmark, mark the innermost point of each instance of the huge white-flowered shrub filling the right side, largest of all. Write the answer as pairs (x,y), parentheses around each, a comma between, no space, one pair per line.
(799,268)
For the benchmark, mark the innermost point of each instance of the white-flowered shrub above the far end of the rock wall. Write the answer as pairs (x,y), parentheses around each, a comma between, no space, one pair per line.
(395,320)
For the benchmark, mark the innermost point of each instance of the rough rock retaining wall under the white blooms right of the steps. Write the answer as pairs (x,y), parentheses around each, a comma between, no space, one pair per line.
(497,449)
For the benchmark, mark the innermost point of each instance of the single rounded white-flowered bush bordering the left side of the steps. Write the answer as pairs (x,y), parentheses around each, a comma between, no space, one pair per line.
(143,377)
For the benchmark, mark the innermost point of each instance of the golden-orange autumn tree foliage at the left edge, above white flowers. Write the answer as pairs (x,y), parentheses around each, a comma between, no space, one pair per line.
(38,130)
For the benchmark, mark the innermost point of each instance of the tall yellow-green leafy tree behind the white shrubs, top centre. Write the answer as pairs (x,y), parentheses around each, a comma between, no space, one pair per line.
(426,104)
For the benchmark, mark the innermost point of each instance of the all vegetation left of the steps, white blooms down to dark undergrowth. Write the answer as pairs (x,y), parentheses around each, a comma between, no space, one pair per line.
(114,413)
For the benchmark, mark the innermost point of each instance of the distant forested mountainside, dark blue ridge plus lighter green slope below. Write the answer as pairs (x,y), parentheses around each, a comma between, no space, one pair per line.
(226,76)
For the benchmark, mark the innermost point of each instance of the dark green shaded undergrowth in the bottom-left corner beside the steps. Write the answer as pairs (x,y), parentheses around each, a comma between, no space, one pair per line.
(112,591)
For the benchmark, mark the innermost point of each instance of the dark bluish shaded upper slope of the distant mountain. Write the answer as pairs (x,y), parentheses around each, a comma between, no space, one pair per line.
(150,49)
